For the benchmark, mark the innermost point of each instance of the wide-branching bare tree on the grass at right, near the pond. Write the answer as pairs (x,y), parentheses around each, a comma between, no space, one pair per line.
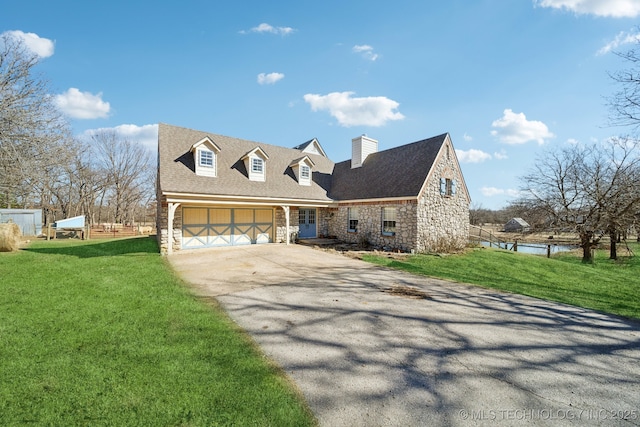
(593,190)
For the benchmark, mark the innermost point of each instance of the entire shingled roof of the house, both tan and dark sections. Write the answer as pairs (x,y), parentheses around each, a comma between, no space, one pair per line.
(397,172)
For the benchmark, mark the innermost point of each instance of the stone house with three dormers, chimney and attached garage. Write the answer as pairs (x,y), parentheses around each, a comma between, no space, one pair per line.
(216,190)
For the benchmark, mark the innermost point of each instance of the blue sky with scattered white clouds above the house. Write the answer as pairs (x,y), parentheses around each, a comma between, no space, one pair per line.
(506,78)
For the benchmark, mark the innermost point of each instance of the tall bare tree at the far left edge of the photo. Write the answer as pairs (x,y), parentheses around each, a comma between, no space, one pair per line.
(31,128)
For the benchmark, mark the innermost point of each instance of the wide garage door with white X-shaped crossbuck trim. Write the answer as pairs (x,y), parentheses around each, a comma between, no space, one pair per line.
(207,227)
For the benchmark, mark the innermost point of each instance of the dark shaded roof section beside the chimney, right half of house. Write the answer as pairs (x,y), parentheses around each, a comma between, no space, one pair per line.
(397,172)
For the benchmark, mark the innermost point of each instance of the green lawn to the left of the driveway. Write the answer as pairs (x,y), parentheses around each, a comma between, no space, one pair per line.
(103,333)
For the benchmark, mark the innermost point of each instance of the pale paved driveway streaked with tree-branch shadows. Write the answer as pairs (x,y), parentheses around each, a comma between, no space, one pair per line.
(461,356)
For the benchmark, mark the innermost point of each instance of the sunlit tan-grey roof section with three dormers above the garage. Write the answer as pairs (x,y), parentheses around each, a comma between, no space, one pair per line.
(177,168)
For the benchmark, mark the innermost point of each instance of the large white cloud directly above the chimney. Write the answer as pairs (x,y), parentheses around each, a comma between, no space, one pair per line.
(369,111)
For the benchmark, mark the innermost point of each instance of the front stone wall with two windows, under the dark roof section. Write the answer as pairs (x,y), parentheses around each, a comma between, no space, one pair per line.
(370,225)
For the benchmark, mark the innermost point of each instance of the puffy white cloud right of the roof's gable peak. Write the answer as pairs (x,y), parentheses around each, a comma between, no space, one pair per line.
(514,128)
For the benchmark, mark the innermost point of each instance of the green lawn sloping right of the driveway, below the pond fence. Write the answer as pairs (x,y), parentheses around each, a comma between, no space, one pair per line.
(608,286)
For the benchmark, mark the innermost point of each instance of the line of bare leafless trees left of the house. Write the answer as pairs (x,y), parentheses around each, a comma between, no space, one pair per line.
(107,178)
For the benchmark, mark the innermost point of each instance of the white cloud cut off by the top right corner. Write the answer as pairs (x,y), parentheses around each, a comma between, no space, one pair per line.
(607,8)
